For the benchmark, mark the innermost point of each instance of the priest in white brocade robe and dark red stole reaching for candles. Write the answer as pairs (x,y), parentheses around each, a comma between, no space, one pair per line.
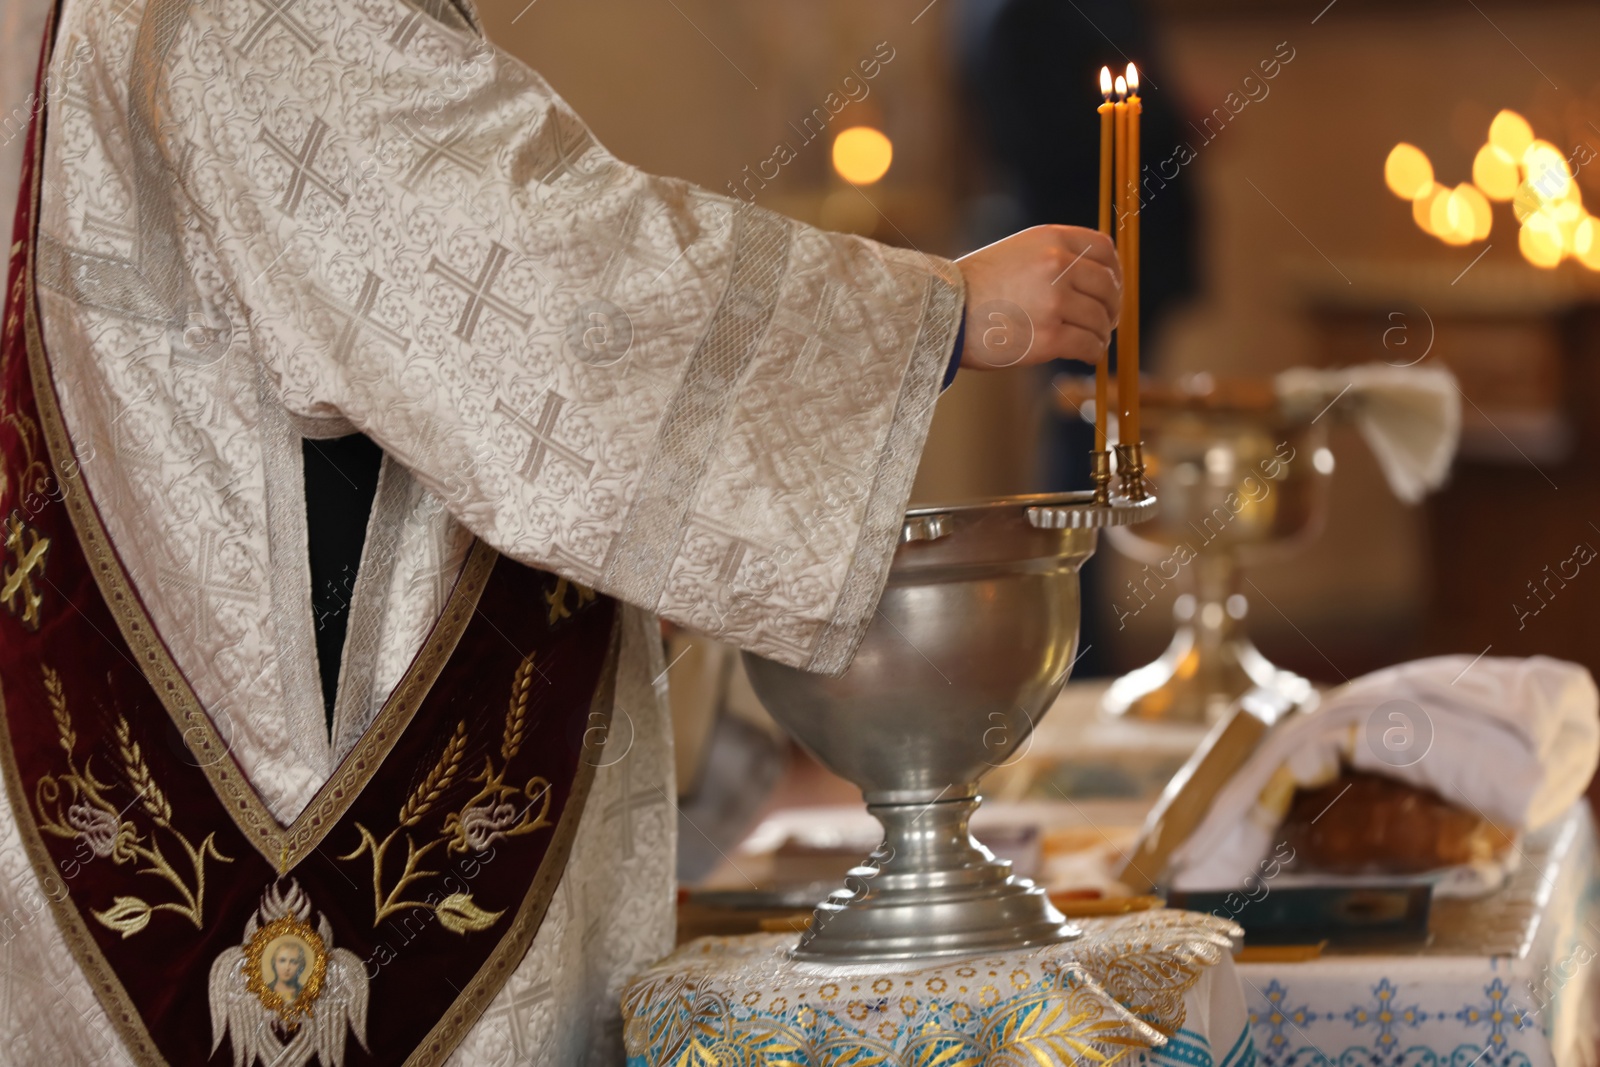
(359,417)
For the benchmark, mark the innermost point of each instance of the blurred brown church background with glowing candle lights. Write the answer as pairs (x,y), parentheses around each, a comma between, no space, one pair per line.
(1284,228)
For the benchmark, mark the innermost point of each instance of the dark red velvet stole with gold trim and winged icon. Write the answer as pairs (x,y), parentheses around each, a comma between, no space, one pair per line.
(388,916)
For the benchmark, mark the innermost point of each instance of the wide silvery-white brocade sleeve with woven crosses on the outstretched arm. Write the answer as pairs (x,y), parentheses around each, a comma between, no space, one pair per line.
(674,398)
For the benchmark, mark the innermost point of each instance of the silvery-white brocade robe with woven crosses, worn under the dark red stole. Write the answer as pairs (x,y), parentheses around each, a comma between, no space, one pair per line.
(271,220)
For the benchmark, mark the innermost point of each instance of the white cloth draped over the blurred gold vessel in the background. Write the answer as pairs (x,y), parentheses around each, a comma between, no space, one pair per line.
(1409,415)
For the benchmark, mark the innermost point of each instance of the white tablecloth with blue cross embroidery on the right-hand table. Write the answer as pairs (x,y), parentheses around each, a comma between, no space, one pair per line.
(1505,981)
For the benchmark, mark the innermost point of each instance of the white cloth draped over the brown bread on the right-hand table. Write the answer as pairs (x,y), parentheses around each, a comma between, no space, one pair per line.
(1513,740)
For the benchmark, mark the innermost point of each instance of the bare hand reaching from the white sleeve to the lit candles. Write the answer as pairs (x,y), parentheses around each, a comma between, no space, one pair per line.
(1046,294)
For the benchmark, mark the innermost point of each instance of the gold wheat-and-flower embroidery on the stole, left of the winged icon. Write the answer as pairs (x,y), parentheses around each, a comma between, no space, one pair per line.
(74,807)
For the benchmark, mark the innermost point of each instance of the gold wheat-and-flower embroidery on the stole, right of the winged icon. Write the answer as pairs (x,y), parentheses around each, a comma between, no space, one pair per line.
(497,812)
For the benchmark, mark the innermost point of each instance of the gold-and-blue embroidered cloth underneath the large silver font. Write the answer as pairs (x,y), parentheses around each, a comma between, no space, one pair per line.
(1156,986)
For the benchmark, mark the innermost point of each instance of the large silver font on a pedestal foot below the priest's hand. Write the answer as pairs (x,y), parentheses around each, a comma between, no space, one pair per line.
(974,639)
